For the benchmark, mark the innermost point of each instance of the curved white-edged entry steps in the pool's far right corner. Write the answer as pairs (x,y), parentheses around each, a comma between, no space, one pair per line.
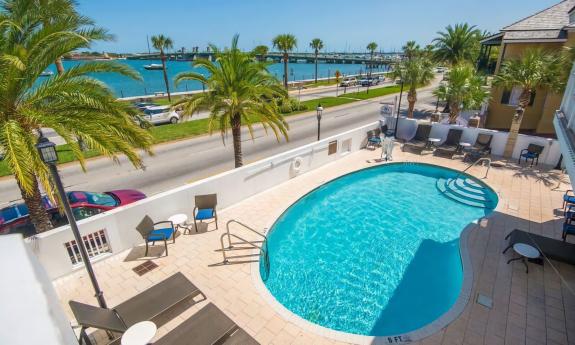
(466,191)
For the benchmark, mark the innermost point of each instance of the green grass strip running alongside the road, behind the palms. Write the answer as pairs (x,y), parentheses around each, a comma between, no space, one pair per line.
(194,128)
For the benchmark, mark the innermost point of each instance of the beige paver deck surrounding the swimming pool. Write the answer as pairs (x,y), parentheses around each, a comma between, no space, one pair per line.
(534,308)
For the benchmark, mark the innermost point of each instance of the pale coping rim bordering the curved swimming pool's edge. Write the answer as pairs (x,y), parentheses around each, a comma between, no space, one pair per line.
(416,335)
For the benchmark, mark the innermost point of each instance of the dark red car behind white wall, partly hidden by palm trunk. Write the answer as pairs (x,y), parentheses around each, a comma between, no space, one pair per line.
(15,218)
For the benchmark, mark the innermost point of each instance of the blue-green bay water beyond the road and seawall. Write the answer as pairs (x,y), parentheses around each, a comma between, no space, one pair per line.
(153,81)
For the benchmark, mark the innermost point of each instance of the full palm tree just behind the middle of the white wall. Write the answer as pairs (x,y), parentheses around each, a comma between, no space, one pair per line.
(242,92)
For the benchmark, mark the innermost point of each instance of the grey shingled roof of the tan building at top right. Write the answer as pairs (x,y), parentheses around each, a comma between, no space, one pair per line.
(546,25)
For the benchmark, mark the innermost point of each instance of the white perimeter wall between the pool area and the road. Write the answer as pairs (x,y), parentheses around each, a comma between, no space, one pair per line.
(236,185)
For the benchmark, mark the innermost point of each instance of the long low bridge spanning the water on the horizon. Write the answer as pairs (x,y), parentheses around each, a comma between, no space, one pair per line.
(332,58)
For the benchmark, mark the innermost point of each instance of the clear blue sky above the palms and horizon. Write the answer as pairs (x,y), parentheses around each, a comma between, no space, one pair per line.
(342,25)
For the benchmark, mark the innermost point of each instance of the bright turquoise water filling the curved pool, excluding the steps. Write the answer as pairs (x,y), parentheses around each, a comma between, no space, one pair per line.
(375,252)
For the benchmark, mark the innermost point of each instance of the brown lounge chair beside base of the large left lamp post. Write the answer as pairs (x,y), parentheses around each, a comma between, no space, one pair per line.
(142,307)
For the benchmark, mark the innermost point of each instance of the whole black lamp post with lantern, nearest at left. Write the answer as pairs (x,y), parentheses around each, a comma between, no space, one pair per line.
(47,150)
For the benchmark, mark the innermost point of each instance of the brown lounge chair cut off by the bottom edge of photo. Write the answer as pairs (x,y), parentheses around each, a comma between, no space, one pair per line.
(208,326)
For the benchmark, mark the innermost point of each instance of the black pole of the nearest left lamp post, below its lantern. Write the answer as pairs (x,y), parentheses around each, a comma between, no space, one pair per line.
(68,210)
